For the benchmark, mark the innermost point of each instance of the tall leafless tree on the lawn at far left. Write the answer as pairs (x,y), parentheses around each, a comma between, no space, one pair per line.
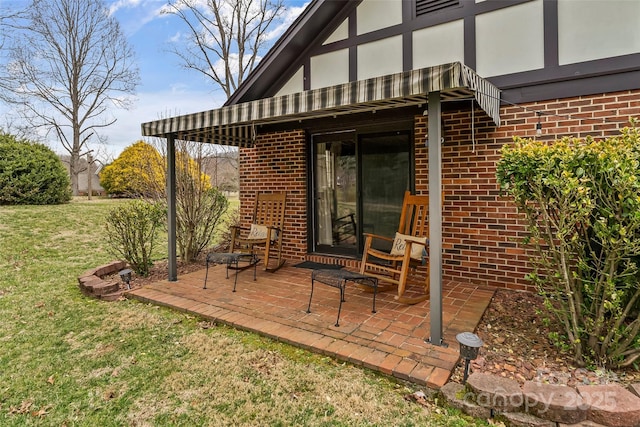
(68,62)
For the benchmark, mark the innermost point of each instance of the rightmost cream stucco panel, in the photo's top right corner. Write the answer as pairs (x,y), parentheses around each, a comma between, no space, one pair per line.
(596,29)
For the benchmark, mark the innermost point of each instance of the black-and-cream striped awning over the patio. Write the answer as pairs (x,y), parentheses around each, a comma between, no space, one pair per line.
(236,124)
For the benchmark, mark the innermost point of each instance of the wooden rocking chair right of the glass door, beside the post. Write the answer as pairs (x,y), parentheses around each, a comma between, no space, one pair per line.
(409,251)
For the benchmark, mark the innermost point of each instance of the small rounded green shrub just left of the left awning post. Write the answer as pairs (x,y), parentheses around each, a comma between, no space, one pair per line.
(132,231)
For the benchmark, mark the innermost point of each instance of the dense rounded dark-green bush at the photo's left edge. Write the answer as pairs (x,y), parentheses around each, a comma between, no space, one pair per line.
(31,174)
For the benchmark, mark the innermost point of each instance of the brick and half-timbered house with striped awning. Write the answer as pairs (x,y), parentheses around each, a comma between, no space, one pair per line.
(317,120)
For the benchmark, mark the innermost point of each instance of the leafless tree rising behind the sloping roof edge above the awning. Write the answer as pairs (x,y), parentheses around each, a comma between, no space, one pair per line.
(225,37)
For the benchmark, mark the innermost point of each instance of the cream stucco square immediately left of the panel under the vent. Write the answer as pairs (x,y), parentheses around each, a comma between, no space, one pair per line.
(380,58)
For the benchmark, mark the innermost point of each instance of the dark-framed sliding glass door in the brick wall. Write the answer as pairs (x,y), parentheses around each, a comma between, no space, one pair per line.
(358,185)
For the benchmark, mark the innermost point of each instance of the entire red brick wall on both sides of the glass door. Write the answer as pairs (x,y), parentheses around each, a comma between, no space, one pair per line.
(481,229)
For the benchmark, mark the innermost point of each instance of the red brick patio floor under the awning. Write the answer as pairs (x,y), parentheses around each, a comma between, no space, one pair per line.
(391,341)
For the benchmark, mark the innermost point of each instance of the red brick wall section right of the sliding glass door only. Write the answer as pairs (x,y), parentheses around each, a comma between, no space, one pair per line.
(482,231)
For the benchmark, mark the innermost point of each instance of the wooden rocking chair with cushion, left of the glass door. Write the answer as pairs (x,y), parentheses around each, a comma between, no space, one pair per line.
(266,230)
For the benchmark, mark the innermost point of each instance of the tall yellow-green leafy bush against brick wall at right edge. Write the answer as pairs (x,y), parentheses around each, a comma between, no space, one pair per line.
(582,202)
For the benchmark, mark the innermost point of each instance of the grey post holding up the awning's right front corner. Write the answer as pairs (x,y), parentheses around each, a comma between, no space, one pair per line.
(435,218)
